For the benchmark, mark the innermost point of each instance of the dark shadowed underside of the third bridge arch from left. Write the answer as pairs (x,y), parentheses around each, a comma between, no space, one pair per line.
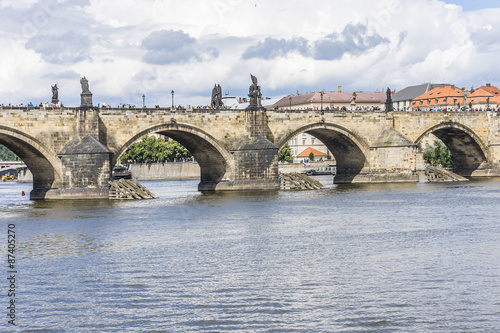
(348,155)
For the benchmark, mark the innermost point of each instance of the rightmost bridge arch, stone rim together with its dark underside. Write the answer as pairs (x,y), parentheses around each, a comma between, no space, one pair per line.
(468,150)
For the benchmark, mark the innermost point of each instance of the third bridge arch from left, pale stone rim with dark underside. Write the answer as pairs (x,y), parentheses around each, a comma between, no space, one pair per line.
(350,151)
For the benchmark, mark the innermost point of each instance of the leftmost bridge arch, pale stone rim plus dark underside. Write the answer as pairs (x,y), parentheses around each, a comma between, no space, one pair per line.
(42,162)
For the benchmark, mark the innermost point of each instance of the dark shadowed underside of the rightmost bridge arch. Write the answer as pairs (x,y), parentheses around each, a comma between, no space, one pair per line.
(467,153)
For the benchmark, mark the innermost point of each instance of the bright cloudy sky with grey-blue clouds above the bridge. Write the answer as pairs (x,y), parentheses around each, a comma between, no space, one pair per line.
(127,49)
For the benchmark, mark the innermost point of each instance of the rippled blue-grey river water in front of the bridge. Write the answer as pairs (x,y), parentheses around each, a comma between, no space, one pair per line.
(353,258)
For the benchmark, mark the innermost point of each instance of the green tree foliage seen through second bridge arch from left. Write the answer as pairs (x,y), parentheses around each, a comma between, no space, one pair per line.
(150,150)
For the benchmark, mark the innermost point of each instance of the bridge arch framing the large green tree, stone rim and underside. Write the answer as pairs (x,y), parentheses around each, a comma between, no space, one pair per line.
(214,160)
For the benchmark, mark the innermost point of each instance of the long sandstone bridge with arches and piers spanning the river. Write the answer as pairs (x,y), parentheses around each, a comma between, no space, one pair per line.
(71,151)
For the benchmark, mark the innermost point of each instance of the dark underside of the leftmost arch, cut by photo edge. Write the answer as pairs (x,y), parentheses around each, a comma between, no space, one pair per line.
(44,174)
